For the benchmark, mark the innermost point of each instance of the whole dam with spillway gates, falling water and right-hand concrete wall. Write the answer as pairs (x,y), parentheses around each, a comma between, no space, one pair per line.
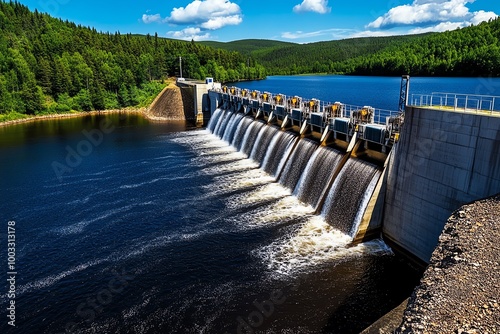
(370,173)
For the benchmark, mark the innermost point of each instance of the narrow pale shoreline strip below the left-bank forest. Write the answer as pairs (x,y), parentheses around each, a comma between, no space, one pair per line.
(35,118)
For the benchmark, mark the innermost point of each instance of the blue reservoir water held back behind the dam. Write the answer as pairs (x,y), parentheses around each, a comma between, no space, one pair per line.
(378,92)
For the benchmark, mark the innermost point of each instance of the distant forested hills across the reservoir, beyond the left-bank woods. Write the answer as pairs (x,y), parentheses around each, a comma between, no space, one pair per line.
(471,51)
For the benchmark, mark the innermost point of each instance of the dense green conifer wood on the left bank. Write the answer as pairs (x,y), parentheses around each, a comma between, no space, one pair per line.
(50,65)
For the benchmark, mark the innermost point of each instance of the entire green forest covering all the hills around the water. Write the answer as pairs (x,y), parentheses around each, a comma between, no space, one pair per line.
(48,65)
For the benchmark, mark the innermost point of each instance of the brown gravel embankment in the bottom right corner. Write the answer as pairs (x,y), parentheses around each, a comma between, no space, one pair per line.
(460,290)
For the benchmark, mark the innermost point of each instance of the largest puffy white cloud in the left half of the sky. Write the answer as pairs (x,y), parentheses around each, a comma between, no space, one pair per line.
(209,14)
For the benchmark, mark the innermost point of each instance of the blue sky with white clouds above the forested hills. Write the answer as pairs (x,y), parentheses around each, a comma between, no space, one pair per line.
(299,21)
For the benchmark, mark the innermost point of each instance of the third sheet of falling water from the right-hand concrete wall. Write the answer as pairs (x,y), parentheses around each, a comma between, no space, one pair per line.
(297,163)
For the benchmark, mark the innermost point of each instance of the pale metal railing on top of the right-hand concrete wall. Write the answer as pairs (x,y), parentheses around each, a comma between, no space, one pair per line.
(457,102)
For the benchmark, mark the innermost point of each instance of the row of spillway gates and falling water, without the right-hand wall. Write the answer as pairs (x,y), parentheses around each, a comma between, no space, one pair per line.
(330,156)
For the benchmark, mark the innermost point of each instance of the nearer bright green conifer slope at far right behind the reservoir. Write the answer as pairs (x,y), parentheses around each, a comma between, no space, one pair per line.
(472,51)
